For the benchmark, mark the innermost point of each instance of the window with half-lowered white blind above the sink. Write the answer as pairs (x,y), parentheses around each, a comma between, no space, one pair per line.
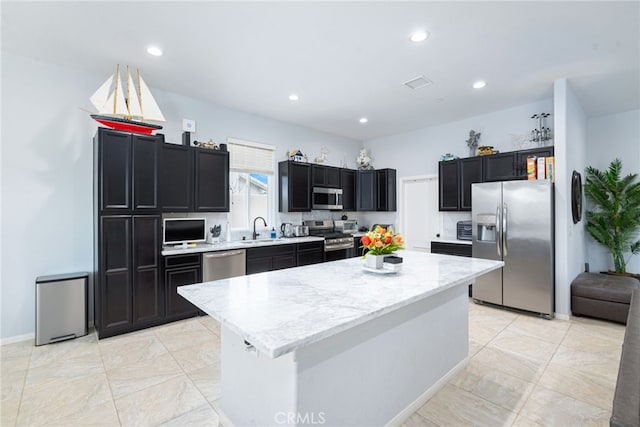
(251,175)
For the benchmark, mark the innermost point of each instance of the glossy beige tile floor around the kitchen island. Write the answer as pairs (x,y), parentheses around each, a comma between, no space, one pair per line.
(523,371)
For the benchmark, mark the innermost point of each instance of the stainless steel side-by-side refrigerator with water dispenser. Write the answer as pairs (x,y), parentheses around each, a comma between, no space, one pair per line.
(513,221)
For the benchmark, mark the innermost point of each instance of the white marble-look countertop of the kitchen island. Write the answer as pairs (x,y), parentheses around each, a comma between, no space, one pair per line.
(281,311)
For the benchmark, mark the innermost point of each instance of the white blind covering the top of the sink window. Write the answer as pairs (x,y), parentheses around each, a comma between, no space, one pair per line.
(249,156)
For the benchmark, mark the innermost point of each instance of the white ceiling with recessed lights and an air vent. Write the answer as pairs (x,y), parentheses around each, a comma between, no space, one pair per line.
(348,60)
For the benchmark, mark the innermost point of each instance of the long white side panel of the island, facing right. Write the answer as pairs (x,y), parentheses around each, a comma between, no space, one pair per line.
(370,374)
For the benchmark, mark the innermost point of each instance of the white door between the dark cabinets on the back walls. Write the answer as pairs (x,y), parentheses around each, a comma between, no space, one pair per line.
(420,215)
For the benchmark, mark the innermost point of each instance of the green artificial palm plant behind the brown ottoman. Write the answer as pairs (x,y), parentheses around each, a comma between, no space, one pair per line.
(615,221)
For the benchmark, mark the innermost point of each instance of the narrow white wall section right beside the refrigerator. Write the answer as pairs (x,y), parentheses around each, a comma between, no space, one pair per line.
(570,124)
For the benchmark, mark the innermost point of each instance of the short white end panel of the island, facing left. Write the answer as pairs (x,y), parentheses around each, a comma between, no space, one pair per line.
(256,389)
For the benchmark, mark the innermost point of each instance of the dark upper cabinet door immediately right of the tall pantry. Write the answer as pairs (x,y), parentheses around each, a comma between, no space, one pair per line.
(176,178)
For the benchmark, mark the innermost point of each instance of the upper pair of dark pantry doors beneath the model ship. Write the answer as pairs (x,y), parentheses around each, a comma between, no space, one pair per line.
(127,171)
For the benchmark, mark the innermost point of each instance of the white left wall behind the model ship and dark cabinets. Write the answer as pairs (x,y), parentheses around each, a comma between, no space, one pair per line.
(47,171)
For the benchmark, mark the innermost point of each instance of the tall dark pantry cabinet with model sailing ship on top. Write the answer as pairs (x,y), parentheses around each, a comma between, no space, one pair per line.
(128,288)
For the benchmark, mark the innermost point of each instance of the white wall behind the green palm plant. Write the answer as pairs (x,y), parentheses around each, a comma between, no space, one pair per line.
(610,137)
